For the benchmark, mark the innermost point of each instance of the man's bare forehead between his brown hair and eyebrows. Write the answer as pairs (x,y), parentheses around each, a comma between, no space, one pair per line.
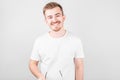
(53,11)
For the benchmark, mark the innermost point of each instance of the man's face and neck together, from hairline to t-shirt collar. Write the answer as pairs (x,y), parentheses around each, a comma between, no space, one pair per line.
(55,19)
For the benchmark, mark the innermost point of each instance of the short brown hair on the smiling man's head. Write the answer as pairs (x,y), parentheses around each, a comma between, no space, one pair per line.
(52,5)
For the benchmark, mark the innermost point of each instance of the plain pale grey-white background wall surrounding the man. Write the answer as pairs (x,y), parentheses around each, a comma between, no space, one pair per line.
(96,22)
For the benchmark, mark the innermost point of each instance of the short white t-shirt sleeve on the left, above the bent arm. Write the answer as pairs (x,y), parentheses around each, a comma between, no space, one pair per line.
(35,53)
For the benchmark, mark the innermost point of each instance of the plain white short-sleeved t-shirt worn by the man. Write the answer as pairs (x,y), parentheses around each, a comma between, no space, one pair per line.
(56,55)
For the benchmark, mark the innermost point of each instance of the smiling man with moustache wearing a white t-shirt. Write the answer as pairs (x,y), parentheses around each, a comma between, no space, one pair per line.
(59,53)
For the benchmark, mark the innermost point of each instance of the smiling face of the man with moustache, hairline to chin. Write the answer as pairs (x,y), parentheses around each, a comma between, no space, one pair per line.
(54,18)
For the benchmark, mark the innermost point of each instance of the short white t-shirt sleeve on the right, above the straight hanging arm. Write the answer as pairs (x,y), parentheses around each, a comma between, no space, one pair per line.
(79,50)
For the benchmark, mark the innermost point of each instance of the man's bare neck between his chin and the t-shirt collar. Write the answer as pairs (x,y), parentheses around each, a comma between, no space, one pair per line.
(57,34)
